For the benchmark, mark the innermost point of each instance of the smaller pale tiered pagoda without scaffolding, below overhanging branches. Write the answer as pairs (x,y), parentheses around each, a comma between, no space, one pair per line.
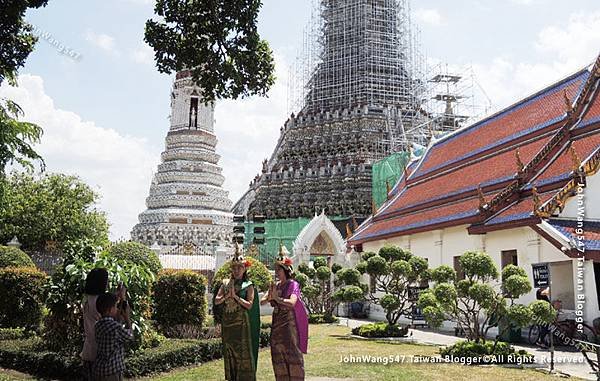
(187,205)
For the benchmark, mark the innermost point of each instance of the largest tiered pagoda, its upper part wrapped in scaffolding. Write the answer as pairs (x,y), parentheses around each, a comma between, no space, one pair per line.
(362,102)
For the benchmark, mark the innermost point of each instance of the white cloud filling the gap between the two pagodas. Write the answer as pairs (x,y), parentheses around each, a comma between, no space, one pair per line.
(248,130)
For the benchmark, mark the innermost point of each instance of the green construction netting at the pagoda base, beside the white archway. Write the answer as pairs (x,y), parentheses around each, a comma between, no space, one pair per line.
(278,231)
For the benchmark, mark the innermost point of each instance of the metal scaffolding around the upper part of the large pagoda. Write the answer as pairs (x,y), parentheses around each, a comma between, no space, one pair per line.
(363,54)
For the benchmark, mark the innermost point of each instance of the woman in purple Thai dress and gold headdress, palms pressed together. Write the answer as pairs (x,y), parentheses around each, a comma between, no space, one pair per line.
(289,330)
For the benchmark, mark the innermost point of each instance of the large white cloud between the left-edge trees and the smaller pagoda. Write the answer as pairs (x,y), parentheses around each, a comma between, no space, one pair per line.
(119,167)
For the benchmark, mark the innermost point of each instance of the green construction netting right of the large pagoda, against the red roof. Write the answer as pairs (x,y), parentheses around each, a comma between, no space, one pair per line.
(387,170)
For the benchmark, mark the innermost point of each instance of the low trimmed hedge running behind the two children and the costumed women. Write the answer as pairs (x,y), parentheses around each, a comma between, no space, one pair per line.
(30,356)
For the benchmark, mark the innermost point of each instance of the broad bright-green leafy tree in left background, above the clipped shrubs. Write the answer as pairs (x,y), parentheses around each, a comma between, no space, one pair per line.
(51,208)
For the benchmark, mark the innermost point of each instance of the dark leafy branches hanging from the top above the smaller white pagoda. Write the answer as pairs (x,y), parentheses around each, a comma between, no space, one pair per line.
(217,40)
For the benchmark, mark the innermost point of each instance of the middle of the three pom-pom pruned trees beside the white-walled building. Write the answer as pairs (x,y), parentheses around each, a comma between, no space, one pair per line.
(393,272)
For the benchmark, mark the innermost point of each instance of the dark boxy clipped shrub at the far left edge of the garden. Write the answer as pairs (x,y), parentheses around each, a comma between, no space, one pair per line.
(22,295)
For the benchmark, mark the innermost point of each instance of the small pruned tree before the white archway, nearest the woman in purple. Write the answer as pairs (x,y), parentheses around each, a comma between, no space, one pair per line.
(324,288)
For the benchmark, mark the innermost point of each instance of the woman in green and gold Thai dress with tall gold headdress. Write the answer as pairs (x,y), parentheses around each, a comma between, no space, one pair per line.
(240,322)
